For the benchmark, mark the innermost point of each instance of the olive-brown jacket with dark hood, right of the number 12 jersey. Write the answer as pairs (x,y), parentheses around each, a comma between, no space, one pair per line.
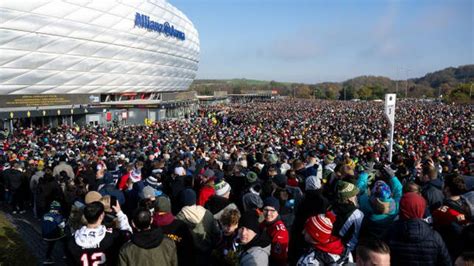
(149,247)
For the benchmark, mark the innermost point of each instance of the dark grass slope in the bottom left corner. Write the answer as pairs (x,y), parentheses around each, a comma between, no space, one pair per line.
(13,250)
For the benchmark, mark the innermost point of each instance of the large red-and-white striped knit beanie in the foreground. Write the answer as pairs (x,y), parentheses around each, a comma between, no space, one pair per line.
(319,227)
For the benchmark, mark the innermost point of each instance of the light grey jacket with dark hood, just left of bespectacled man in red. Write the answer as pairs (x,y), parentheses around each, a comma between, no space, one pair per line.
(256,252)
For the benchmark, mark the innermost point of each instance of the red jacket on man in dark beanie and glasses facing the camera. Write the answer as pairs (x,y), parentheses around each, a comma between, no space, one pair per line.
(280,239)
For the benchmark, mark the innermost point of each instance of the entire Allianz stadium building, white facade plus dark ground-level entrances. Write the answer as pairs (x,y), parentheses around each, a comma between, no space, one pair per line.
(95,62)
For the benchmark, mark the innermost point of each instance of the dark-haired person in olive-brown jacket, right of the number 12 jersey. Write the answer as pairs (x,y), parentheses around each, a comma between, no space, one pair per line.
(148,245)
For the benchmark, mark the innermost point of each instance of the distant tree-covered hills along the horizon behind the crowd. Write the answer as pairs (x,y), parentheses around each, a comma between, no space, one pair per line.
(441,82)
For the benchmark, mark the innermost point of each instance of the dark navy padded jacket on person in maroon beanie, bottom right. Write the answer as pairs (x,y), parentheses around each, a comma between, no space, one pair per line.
(414,242)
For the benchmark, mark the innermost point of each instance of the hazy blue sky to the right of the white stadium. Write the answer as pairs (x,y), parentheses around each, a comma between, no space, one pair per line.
(312,41)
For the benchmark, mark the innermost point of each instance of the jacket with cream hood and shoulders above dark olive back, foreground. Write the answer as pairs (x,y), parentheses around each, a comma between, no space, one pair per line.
(203,227)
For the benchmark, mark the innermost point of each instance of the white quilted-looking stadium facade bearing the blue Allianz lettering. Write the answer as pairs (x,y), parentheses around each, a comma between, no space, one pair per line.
(100,46)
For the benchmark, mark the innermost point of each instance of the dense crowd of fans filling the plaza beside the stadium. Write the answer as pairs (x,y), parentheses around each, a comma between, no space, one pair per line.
(264,183)
